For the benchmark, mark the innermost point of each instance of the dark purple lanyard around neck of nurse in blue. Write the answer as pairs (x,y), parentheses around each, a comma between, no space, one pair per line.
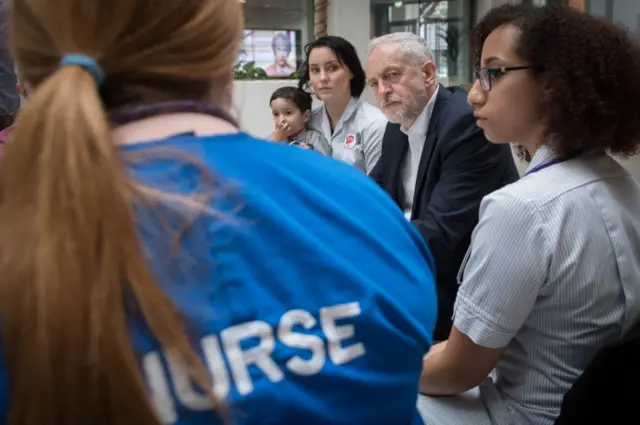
(139,112)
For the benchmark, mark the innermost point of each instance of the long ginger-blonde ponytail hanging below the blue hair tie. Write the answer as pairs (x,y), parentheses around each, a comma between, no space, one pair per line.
(69,256)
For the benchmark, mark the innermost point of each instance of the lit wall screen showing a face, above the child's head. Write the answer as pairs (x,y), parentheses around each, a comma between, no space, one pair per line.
(276,51)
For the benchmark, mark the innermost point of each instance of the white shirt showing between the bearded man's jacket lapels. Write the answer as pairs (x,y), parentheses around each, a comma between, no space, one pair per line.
(417,135)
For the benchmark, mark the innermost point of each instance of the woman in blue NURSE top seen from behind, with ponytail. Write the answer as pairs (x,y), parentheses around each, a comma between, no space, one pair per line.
(158,266)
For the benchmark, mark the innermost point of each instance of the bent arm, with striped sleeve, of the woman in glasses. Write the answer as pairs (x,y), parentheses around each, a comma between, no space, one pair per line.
(502,281)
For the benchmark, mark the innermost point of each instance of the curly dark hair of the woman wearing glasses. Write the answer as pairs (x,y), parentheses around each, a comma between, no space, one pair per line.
(588,71)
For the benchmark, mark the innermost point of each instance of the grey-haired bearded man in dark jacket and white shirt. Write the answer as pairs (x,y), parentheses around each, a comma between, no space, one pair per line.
(436,163)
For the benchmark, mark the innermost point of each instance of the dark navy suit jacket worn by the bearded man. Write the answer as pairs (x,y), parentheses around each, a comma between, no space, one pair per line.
(457,169)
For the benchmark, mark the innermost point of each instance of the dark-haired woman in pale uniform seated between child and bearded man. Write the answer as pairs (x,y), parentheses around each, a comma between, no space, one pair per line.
(355,128)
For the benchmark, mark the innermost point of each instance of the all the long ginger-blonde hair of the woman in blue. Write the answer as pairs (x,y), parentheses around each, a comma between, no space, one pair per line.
(70,251)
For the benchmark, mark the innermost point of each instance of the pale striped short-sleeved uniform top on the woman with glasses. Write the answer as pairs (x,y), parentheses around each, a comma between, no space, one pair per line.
(553,274)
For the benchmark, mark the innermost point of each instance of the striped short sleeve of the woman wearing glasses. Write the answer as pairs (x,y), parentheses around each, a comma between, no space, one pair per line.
(505,271)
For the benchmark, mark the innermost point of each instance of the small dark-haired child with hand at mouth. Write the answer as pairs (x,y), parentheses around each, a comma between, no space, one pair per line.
(291,109)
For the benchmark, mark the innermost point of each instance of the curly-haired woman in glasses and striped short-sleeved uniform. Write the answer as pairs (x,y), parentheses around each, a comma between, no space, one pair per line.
(553,271)
